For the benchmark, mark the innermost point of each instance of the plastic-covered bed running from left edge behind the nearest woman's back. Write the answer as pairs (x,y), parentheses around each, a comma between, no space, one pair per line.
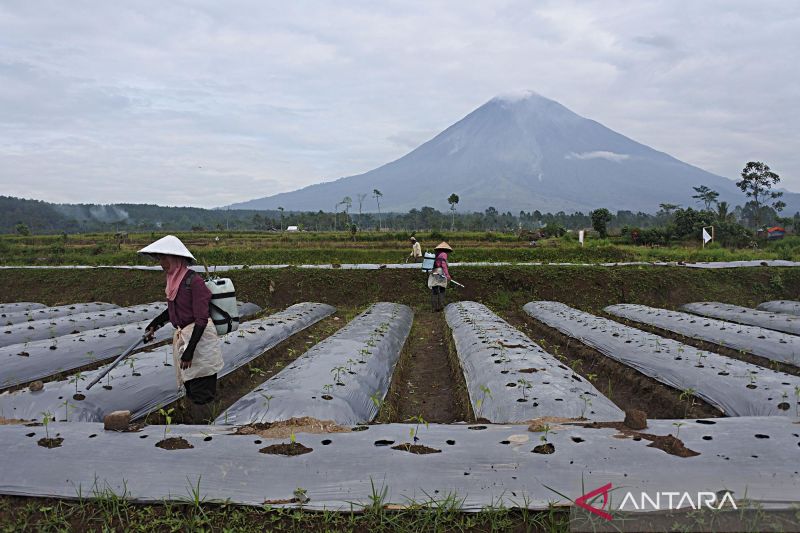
(25,362)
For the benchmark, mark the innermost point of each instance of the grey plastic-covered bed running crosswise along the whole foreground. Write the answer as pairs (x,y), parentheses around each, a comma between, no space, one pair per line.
(472,466)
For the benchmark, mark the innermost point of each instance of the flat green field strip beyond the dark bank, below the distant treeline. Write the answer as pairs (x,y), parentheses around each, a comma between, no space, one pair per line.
(253,248)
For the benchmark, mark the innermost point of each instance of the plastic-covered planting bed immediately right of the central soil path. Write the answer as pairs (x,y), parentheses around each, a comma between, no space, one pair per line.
(511,379)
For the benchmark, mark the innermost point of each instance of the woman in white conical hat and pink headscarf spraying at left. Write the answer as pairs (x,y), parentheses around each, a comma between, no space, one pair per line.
(196,349)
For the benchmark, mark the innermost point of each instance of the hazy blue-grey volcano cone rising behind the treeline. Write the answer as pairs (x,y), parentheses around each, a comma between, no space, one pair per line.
(522,153)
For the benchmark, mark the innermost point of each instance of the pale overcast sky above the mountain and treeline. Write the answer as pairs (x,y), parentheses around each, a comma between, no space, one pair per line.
(205,103)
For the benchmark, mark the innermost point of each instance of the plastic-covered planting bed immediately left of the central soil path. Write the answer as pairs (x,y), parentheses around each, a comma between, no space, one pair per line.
(343,378)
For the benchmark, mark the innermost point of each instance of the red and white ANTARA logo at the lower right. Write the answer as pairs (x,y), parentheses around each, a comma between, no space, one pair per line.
(658,501)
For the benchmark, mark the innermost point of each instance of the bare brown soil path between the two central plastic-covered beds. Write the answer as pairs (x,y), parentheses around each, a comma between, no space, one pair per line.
(425,382)
